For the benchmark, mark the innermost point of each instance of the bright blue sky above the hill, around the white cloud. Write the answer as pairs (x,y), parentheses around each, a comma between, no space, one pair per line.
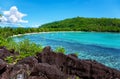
(38,12)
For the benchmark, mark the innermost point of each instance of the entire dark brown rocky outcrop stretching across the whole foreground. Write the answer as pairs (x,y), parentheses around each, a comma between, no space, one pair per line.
(50,65)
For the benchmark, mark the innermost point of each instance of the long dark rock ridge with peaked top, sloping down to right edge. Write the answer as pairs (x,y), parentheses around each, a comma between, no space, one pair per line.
(71,65)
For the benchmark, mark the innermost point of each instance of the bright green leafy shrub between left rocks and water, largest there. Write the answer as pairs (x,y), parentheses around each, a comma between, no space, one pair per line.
(24,46)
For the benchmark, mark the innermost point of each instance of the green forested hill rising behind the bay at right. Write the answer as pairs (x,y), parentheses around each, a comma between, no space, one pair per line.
(85,24)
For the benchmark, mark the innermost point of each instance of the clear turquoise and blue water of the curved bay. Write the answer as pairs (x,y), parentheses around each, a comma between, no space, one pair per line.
(102,47)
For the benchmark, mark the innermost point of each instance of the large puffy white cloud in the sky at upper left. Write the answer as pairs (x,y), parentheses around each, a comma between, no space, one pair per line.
(13,16)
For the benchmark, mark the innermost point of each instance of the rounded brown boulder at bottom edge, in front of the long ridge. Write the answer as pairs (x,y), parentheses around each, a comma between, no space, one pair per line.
(47,71)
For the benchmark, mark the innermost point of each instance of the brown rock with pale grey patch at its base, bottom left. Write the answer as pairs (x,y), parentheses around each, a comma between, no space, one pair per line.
(21,70)
